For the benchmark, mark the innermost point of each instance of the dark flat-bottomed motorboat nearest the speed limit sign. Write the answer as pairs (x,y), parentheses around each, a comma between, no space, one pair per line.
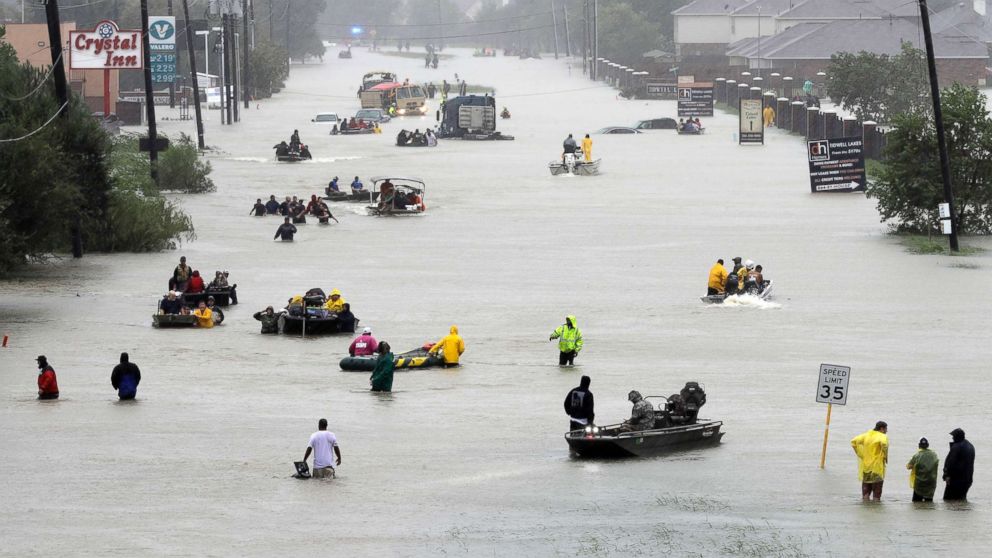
(676,427)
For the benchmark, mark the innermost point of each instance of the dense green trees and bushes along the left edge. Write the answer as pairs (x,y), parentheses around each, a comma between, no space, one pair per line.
(61,175)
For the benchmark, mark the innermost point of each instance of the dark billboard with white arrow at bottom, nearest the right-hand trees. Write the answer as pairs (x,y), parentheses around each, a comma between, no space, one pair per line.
(836,165)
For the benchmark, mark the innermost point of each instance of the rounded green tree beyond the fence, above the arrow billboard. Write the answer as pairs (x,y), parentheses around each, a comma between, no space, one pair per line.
(879,87)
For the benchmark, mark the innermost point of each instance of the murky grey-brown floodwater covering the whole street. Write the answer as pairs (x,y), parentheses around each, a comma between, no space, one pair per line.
(471,462)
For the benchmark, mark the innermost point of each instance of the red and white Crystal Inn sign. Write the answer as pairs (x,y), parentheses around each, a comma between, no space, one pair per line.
(105,48)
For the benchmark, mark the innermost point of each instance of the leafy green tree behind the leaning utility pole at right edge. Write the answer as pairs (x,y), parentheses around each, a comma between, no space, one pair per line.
(909,186)
